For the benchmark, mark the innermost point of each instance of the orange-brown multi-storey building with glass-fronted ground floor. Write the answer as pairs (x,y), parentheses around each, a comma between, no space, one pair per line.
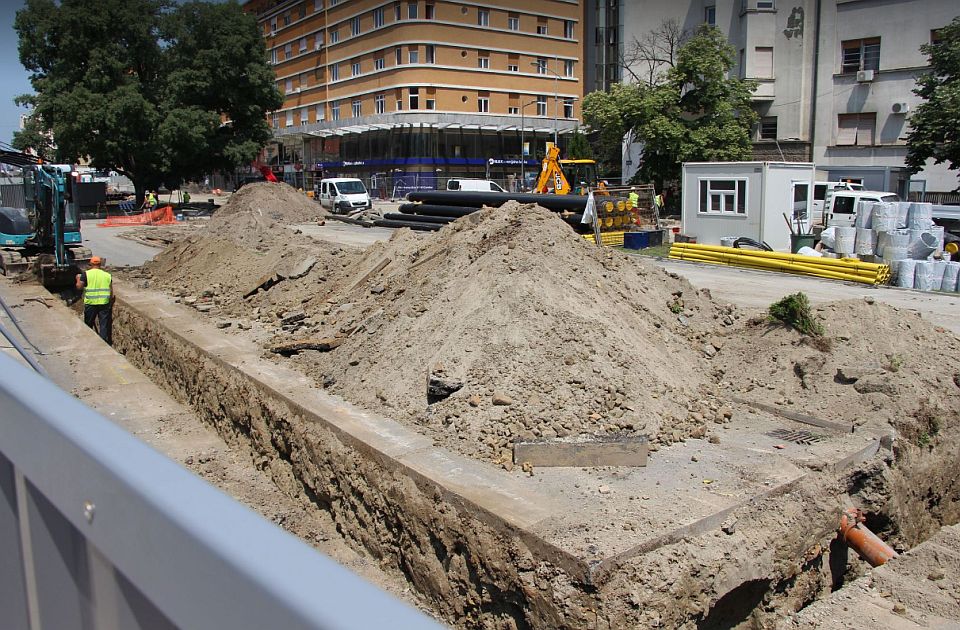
(402,93)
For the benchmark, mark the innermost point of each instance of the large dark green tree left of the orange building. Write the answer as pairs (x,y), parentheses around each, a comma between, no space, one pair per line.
(157,92)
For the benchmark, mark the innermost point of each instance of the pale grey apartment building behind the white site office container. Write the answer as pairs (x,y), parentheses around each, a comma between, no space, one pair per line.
(835,77)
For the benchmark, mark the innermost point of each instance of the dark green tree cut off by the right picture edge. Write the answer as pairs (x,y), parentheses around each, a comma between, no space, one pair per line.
(935,123)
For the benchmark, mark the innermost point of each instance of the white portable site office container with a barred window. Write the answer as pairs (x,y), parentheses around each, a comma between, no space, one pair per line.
(733,199)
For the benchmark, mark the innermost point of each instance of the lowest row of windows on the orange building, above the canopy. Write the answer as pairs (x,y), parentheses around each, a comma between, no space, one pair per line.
(413,102)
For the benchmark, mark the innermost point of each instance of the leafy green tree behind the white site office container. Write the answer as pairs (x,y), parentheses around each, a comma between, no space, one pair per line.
(693,111)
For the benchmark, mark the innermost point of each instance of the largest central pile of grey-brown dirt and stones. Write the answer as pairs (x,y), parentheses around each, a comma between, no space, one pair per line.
(535,332)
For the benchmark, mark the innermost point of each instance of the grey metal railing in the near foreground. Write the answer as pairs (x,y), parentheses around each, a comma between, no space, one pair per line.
(98,530)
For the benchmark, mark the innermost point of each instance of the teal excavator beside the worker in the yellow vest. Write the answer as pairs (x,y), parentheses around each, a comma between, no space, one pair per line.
(47,230)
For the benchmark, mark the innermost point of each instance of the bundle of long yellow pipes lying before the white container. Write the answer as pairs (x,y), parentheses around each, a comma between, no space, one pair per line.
(849,269)
